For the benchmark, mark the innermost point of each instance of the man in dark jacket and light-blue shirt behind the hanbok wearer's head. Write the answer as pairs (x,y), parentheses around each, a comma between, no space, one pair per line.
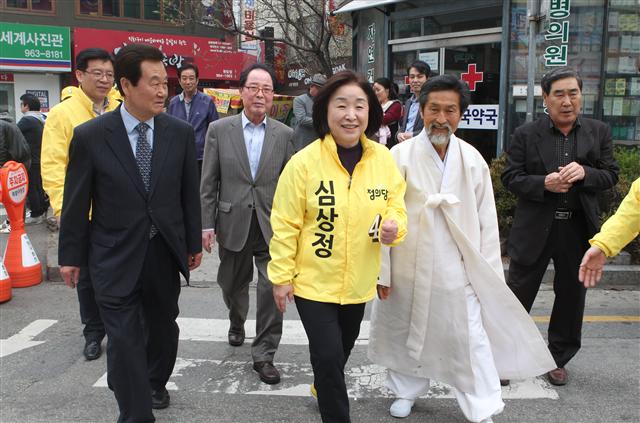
(411,123)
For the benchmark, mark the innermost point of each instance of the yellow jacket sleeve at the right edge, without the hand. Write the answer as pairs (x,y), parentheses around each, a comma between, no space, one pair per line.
(623,226)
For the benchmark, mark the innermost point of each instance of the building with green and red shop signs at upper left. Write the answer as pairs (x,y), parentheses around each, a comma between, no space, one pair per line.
(39,58)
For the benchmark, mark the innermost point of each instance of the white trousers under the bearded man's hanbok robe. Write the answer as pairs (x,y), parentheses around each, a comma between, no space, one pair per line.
(486,400)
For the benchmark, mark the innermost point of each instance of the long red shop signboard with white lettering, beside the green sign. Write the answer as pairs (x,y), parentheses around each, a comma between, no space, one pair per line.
(215,59)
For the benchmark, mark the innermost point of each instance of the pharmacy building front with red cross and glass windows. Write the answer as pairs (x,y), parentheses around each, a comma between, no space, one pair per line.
(486,43)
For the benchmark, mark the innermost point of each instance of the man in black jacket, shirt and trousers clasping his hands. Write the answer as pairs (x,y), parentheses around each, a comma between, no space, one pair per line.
(556,167)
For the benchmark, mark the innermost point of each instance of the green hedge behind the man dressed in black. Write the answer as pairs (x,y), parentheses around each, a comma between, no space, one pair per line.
(628,159)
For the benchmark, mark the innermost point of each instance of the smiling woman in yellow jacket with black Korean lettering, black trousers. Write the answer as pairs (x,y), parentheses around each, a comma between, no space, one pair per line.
(337,200)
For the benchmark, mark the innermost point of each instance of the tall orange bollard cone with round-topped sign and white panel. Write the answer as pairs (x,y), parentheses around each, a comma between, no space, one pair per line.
(20,259)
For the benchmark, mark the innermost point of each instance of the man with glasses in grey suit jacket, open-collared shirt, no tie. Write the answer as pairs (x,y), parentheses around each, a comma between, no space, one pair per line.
(243,158)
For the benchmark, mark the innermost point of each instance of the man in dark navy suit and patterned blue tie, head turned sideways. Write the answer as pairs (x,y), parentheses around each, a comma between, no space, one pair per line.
(135,168)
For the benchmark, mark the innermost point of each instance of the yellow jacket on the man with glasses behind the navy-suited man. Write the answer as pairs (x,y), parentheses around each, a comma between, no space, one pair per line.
(56,137)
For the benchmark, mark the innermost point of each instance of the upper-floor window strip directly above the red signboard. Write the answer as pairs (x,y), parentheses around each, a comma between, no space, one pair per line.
(164,11)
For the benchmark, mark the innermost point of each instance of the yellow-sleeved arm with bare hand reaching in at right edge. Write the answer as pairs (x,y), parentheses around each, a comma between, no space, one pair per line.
(619,230)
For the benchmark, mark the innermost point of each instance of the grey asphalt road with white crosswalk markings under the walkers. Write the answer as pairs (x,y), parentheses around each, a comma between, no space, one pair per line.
(48,380)
